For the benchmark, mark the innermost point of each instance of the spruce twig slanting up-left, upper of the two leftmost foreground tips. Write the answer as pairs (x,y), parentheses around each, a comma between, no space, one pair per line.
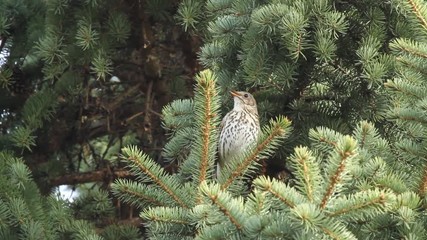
(146,169)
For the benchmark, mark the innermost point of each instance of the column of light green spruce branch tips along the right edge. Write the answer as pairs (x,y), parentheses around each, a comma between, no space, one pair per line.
(408,93)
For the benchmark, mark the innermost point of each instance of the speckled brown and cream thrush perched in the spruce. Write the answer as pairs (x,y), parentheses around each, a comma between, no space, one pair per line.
(239,129)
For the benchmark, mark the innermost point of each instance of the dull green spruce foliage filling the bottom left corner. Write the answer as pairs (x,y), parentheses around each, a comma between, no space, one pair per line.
(26,214)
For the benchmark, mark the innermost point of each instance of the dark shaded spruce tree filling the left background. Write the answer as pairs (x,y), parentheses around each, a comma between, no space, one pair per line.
(78,81)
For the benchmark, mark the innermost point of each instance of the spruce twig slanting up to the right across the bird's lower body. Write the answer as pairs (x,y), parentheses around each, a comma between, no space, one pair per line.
(276,131)
